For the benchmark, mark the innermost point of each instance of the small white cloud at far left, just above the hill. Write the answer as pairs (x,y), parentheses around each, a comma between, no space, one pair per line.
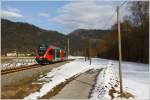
(8,13)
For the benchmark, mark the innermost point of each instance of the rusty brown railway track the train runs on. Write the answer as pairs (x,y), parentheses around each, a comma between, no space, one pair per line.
(7,71)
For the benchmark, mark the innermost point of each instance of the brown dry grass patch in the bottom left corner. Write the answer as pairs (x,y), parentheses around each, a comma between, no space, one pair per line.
(19,91)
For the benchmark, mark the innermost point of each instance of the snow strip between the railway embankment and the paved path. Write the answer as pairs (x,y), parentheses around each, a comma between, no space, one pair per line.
(60,74)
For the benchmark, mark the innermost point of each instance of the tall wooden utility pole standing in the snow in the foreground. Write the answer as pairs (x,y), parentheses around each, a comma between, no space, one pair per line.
(119,48)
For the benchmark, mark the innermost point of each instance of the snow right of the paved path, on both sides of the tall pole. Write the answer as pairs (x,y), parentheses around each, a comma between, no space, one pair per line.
(135,81)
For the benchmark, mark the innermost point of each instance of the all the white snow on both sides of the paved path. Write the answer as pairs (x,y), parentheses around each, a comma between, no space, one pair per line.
(135,78)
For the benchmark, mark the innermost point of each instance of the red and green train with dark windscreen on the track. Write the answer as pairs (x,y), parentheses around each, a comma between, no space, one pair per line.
(47,54)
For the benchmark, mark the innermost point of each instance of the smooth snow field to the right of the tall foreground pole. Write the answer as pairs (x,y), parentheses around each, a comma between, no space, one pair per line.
(136,80)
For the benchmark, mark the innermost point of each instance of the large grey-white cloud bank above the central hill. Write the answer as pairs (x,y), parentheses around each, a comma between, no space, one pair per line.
(90,15)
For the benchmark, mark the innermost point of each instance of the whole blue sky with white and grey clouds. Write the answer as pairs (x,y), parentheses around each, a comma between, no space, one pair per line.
(63,16)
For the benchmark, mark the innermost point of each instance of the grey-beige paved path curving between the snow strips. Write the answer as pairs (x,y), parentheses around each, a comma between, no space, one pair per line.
(79,88)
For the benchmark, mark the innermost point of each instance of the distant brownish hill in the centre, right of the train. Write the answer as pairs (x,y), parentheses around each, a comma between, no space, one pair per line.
(81,37)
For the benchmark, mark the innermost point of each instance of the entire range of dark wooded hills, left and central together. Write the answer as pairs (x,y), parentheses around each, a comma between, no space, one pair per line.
(25,37)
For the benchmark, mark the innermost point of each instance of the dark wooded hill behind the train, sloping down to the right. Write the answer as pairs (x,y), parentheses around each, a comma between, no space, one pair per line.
(25,37)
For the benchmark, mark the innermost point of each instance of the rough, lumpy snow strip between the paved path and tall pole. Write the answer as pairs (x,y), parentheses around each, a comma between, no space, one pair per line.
(105,80)
